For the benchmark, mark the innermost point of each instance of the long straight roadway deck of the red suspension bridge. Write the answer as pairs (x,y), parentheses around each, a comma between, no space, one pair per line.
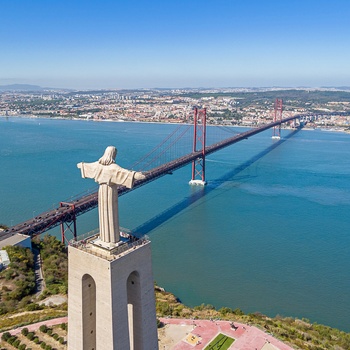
(52,218)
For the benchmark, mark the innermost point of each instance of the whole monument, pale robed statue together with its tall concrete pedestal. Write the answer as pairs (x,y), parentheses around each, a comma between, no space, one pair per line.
(111,302)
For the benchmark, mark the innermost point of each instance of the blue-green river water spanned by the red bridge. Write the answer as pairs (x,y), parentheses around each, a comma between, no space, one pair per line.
(269,233)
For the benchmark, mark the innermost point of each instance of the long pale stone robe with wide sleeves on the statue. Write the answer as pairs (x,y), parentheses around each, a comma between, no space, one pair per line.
(108,177)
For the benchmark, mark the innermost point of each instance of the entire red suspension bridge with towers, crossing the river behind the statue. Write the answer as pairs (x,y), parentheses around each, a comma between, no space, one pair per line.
(65,214)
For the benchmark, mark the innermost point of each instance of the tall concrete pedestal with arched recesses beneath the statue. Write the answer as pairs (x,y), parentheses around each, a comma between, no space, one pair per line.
(111,304)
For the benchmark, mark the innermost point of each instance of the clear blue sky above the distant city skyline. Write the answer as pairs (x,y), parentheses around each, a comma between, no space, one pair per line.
(175,43)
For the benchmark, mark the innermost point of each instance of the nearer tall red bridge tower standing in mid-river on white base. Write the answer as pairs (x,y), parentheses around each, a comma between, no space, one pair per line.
(199,143)
